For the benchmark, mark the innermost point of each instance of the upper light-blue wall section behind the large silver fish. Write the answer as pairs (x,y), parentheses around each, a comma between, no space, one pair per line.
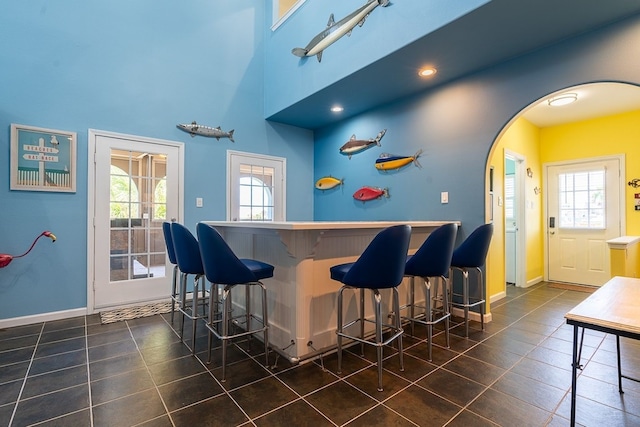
(291,79)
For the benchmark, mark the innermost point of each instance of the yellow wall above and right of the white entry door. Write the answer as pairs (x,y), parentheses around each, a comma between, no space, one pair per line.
(614,134)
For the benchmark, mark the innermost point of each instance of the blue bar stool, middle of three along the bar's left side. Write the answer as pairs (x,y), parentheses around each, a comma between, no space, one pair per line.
(189,262)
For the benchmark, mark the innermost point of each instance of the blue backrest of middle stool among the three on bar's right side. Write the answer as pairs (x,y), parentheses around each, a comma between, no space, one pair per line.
(433,258)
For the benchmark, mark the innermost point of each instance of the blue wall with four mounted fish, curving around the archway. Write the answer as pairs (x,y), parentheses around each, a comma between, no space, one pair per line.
(456,125)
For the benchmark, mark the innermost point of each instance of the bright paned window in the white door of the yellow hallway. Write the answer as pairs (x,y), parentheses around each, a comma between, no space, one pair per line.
(582,199)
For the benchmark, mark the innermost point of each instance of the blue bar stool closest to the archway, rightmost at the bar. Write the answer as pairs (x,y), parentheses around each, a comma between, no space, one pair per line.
(471,255)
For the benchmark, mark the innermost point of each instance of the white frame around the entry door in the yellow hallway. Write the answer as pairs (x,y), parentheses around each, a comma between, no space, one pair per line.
(621,202)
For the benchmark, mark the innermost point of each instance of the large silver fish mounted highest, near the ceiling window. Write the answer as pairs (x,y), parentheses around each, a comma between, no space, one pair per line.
(335,30)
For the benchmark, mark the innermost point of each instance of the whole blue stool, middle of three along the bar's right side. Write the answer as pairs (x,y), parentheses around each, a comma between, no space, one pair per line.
(431,260)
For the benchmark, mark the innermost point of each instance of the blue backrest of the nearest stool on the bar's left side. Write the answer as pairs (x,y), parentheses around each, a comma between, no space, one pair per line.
(221,265)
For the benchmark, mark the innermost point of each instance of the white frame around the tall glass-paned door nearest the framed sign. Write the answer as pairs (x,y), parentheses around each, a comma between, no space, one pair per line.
(91,181)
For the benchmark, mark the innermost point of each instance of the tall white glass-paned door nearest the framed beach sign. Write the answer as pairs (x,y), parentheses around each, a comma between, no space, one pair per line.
(137,187)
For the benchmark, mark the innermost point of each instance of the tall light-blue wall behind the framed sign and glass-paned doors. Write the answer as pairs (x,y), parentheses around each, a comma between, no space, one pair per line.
(135,67)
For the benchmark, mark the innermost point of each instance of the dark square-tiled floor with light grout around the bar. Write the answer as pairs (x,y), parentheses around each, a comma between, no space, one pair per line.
(77,372)
